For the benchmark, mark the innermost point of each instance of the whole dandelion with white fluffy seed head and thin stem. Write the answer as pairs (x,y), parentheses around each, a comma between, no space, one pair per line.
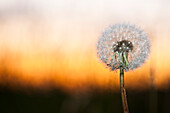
(124,47)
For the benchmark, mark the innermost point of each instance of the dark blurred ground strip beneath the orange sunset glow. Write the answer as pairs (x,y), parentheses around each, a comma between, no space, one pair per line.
(57,101)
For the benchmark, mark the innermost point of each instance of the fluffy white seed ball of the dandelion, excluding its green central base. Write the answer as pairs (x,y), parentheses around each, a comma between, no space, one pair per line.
(131,35)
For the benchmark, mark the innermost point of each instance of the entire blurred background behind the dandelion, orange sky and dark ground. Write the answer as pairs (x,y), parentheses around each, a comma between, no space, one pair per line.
(48,61)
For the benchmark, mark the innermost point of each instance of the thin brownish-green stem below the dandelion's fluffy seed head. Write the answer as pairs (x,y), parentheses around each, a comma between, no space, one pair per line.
(123,91)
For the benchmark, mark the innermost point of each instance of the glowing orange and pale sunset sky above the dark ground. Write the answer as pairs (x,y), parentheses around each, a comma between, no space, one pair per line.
(51,44)
